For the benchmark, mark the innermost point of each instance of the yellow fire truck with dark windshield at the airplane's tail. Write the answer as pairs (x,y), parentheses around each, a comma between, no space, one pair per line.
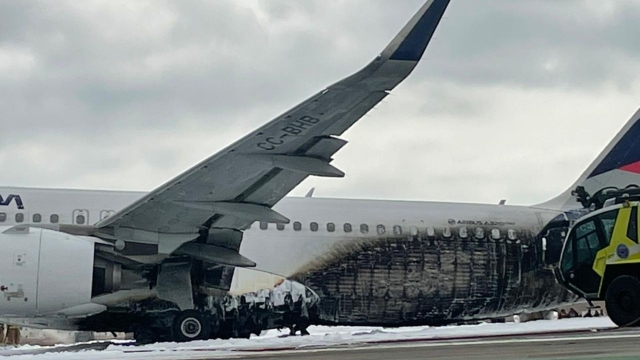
(601,260)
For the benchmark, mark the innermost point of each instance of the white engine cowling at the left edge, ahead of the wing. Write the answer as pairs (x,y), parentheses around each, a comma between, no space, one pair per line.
(44,272)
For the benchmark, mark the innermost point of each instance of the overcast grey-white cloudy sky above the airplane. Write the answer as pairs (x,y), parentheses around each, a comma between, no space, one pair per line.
(512,99)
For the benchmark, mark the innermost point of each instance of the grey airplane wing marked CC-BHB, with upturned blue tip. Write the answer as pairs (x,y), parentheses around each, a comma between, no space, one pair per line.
(239,185)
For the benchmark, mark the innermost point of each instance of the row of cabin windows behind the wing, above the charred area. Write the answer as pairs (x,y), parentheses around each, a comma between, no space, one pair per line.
(463,232)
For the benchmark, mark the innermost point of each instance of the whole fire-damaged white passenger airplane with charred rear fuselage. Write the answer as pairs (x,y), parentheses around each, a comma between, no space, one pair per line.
(219,251)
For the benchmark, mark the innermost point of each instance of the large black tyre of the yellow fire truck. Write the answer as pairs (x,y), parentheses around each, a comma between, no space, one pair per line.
(623,300)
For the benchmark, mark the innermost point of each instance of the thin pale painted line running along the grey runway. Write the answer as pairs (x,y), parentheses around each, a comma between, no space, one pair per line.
(431,345)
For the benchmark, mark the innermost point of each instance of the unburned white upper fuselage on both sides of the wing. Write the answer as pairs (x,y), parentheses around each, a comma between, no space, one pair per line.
(285,250)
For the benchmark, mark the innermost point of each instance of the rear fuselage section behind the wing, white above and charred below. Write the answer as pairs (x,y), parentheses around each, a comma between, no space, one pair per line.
(432,270)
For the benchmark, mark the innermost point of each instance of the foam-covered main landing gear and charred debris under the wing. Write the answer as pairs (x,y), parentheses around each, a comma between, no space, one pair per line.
(223,317)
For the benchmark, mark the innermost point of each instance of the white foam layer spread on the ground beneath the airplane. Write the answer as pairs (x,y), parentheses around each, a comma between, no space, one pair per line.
(321,336)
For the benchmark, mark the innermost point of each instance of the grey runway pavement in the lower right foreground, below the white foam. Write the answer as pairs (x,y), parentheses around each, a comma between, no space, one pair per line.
(615,345)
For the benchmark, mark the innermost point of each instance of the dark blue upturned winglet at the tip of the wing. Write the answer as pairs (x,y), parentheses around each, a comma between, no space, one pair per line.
(412,41)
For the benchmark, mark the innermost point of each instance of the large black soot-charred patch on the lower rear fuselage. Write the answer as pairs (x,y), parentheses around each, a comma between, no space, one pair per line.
(419,280)
